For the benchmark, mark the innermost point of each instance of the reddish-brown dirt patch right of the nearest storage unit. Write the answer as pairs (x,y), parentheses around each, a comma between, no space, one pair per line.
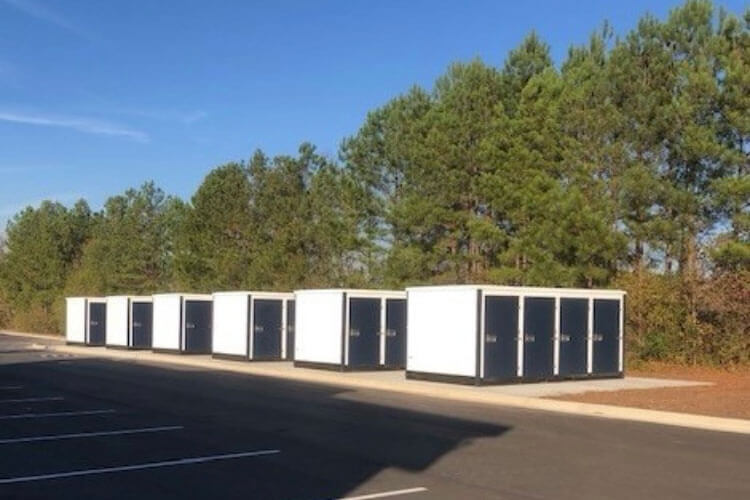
(729,396)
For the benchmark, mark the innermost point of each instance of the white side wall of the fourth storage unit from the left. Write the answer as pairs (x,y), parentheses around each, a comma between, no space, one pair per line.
(230,324)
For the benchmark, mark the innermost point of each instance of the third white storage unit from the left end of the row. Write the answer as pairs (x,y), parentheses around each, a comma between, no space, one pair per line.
(182,323)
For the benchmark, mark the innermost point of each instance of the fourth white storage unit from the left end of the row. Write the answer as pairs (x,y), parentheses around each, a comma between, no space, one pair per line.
(251,325)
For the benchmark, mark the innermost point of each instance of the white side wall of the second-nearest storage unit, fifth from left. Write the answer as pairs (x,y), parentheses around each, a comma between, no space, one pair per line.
(318,317)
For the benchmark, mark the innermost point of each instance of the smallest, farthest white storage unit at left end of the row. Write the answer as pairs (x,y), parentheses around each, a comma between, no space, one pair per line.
(85,320)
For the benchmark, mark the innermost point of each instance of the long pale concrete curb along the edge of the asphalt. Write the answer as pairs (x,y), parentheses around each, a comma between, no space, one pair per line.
(468,394)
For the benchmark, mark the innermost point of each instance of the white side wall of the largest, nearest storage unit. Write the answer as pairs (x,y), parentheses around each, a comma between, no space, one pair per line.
(442,330)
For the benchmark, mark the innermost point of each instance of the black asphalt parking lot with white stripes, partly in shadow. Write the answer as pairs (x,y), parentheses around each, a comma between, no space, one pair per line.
(73,427)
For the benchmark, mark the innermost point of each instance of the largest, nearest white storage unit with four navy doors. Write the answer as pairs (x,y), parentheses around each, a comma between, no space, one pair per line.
(493,334)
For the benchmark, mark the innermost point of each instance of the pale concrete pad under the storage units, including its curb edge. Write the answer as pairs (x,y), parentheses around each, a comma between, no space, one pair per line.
(527,396)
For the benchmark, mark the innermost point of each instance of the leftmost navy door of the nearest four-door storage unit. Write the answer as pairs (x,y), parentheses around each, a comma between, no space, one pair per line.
(500,337)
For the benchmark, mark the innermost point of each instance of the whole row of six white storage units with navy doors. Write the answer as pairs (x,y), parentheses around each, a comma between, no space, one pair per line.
(462,333)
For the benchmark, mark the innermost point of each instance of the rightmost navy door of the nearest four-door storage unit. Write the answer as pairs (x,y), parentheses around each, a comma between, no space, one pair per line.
(606,342)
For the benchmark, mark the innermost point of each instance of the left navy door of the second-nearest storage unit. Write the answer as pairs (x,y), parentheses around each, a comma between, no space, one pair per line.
(364,326)
